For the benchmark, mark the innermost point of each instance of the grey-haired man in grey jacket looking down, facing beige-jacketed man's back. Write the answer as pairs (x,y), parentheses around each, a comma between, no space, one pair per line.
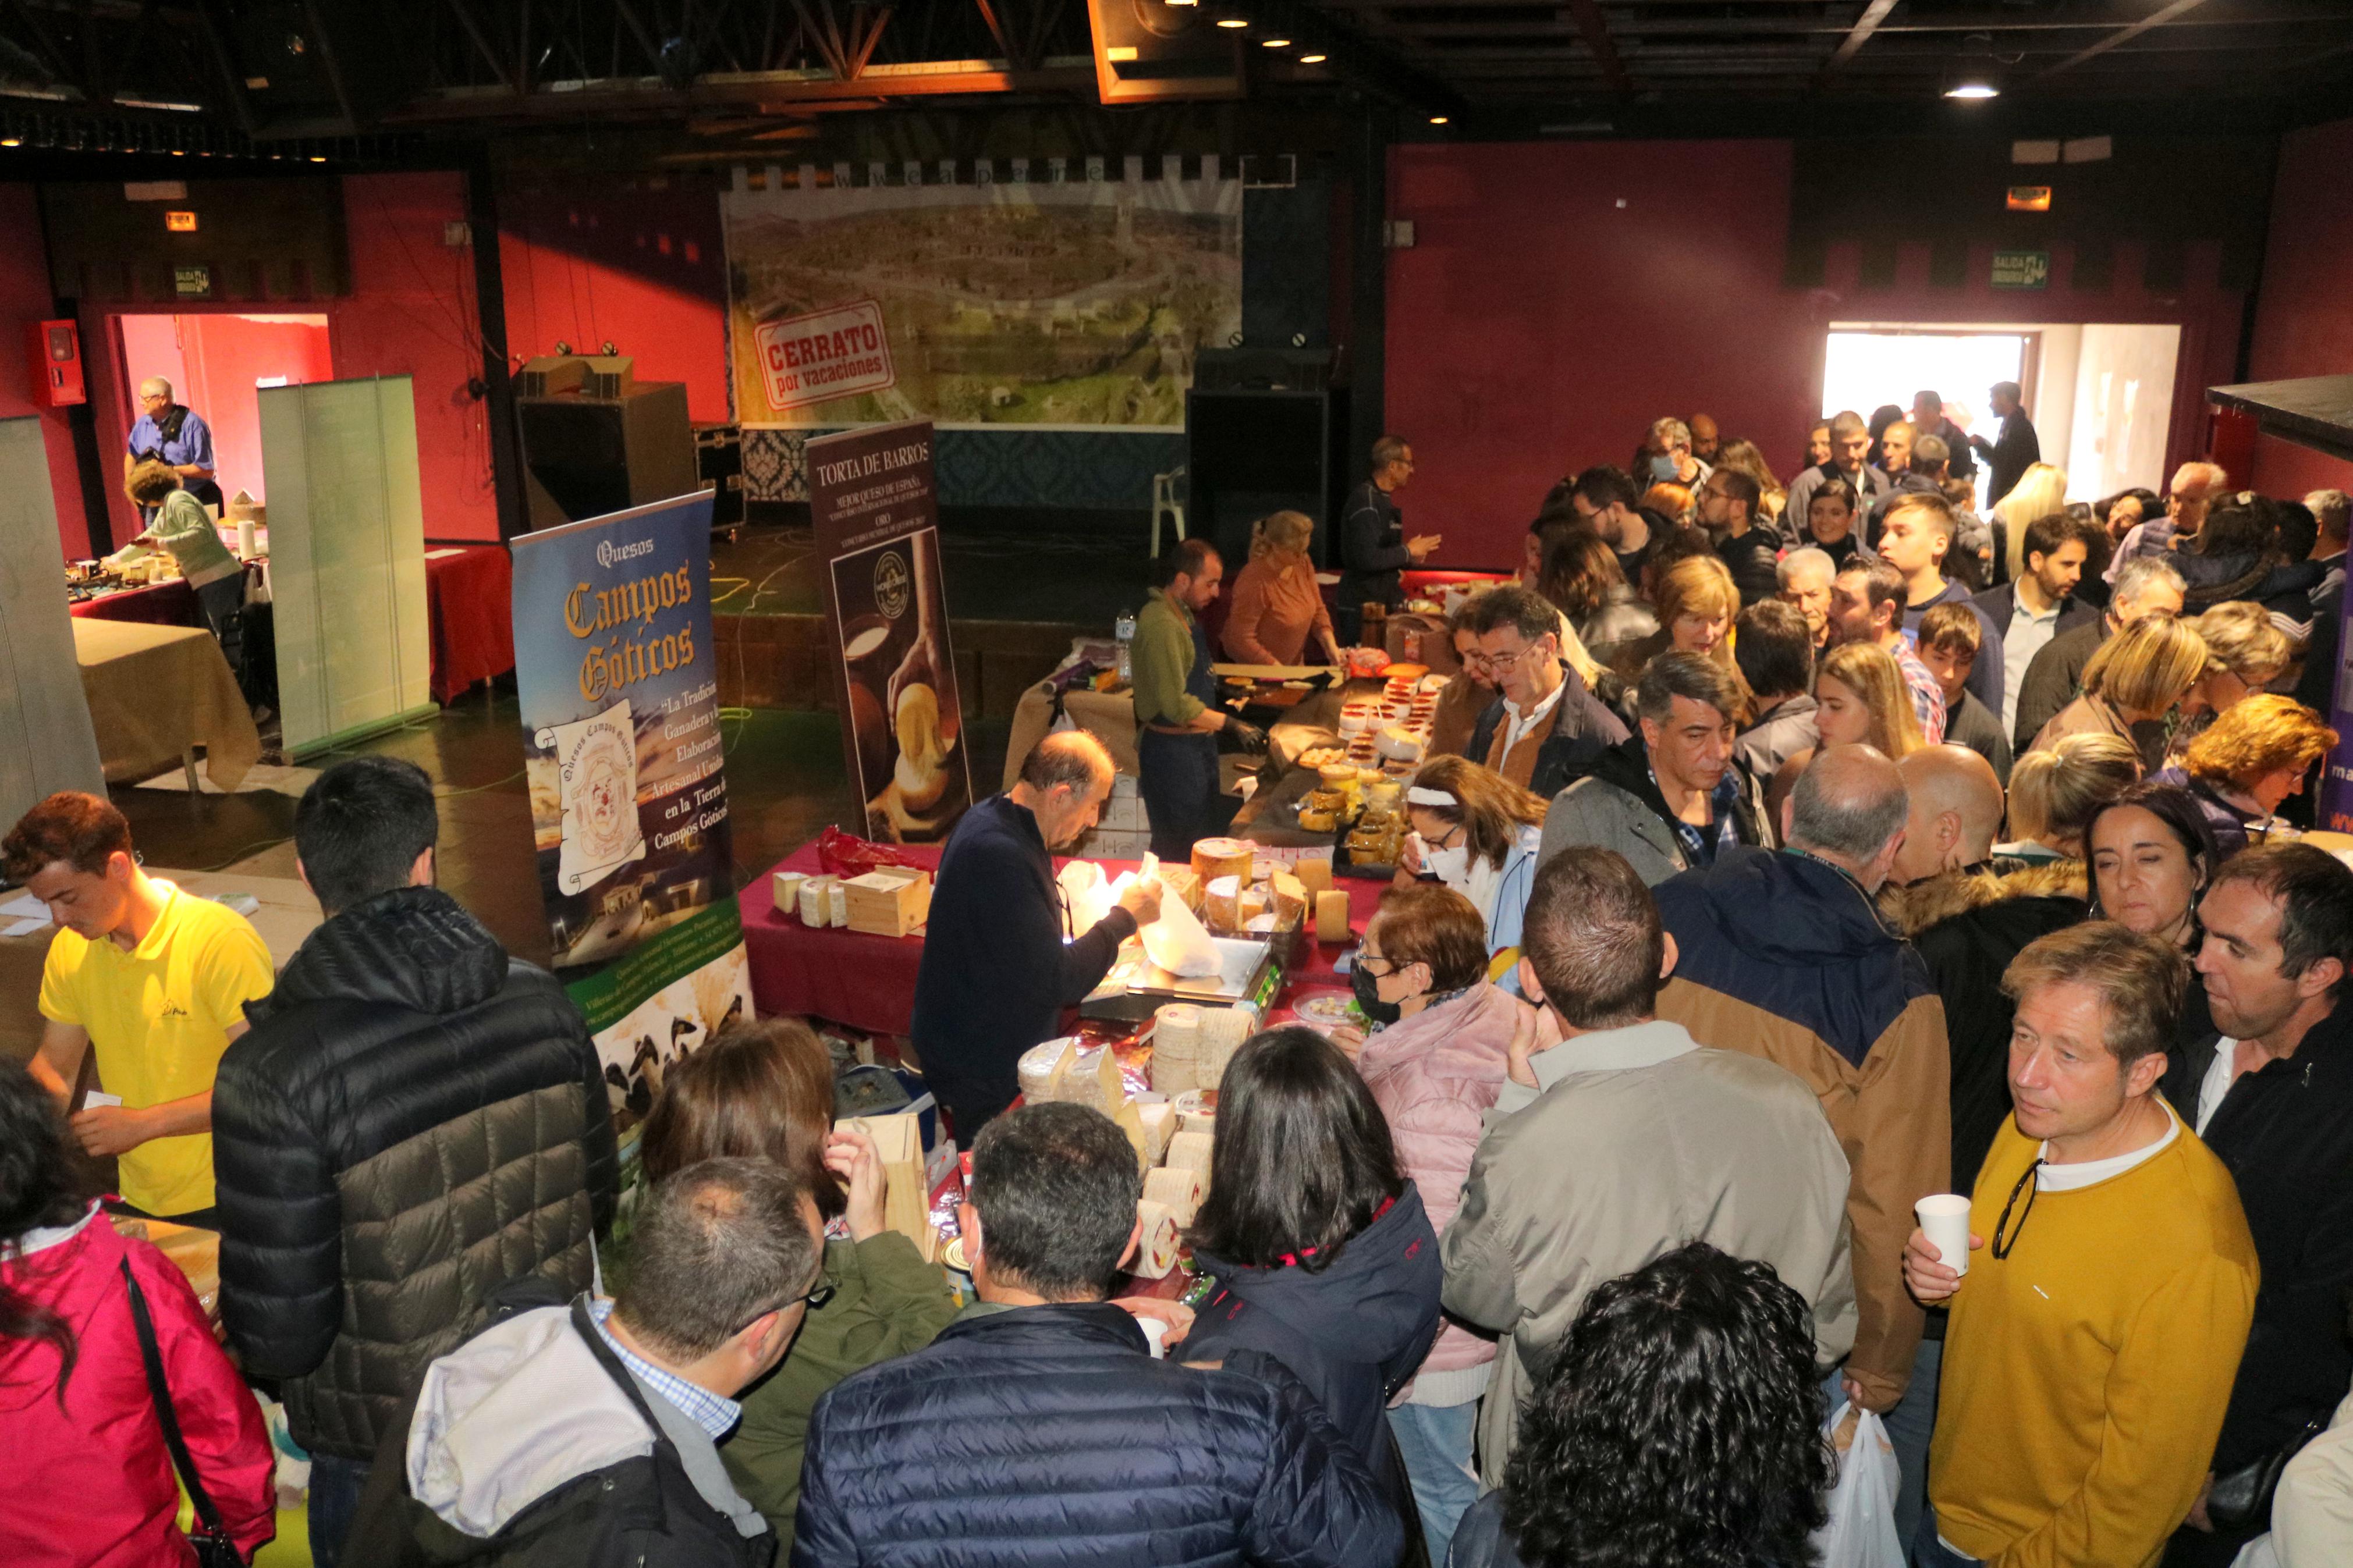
(1674,796)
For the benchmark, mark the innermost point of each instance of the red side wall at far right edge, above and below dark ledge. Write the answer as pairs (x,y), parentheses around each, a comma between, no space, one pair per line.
(2305,309)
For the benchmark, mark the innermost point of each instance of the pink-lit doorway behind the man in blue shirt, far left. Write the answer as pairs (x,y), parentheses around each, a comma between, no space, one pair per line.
(218,366)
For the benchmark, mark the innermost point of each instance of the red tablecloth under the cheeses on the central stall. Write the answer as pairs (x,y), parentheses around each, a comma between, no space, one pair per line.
(869,981)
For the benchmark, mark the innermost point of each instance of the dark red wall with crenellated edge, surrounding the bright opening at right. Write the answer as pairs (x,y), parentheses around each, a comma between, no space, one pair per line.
(1559,297)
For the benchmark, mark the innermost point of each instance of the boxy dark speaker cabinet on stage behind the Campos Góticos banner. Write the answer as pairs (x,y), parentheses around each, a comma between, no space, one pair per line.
(587,457)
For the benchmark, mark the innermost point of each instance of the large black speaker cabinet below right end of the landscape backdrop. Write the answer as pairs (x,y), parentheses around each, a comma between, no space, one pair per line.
(1255,453)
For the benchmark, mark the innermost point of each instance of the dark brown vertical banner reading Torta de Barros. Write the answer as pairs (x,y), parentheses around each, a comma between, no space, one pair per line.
(879,540)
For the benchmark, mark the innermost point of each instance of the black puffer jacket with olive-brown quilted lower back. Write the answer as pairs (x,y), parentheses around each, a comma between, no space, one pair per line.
(413,1123)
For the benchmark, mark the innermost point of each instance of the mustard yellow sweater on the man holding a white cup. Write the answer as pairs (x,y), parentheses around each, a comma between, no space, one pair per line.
(2086,1376)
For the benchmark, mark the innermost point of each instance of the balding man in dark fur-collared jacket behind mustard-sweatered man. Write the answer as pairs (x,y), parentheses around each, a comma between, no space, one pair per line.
(1968,916)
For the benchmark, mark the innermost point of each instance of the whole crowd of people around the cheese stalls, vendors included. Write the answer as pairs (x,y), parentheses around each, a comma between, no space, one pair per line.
(1787,857)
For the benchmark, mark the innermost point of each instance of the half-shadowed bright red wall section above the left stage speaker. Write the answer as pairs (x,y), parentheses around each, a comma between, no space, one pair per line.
(636,264)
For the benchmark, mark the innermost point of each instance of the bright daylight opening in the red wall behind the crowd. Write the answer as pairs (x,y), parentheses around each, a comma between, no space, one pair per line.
(2102,394)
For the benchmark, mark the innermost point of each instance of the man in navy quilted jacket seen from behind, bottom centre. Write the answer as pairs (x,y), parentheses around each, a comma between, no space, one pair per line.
(1015,1438)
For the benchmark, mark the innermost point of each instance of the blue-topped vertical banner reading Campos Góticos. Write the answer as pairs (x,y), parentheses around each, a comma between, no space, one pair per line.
(629,805)
